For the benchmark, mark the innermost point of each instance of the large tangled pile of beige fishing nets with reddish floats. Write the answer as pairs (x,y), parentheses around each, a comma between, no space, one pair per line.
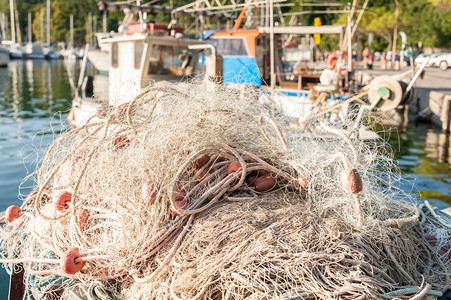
(193,191)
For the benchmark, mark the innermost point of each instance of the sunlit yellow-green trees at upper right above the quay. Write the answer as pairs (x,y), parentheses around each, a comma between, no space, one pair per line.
(421,20)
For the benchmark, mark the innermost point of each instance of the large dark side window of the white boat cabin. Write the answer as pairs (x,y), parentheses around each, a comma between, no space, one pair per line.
(168,60)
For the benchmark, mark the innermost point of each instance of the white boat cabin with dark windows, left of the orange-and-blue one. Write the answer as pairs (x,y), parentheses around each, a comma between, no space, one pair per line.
(137,60)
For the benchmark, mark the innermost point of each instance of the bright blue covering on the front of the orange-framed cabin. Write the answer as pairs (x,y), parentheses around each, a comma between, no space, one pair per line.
(241,69)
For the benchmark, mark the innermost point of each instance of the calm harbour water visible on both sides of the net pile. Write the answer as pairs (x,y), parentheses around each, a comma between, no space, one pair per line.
(35,97)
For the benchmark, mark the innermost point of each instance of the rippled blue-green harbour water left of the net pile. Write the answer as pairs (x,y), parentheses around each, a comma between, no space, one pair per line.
(32,95)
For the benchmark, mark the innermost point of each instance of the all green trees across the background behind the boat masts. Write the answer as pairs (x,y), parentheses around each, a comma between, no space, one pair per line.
(428,21)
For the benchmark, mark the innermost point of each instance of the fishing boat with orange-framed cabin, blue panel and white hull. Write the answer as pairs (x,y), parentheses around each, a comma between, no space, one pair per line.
(248,60)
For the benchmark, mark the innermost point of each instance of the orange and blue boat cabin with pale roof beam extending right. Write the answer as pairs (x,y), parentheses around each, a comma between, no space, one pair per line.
(246,55)
